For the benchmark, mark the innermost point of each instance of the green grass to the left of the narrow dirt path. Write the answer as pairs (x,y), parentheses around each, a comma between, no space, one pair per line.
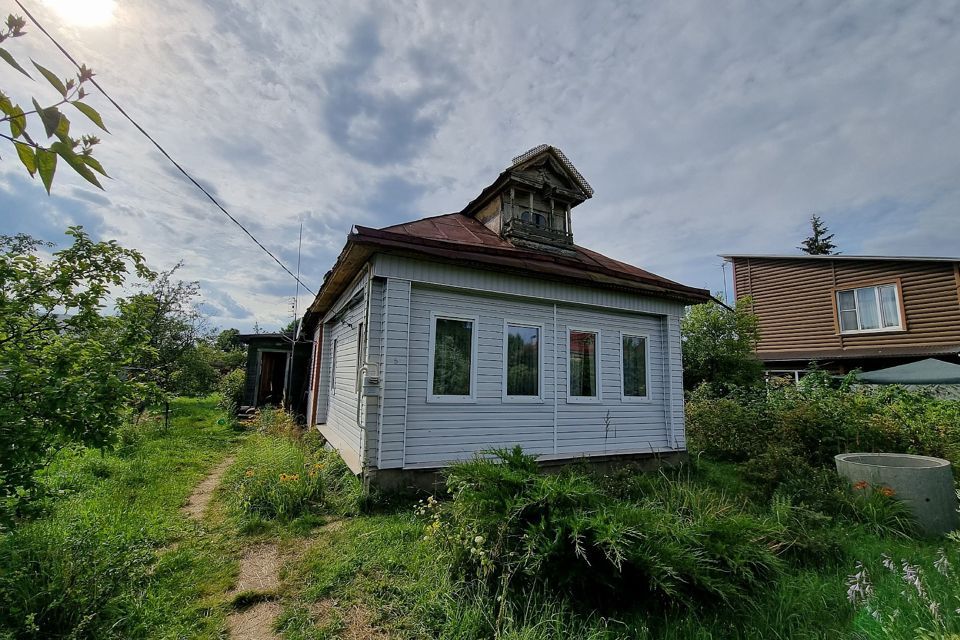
(113,556)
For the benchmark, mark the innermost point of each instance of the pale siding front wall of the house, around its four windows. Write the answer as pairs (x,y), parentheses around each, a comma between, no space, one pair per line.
(415,433)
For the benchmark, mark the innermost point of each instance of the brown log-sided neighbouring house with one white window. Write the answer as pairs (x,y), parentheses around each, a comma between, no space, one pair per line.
(847,312)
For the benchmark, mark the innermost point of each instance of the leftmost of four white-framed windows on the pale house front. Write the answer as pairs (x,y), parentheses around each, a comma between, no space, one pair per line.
(453,359)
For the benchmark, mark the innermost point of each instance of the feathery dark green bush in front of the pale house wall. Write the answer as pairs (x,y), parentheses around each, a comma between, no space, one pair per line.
(513,527)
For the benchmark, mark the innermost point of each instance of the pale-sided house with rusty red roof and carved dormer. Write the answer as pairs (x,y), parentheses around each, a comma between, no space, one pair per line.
(446,337)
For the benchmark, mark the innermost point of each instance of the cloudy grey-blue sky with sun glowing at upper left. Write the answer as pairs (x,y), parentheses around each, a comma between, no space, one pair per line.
(704,127)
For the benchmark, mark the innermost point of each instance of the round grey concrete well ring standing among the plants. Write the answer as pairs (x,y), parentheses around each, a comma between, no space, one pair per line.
(924,484)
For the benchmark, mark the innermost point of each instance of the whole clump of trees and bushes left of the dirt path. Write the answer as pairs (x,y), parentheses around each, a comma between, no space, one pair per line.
(71,373)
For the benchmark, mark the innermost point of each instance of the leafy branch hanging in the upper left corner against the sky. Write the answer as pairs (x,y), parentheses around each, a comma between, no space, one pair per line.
(40,156)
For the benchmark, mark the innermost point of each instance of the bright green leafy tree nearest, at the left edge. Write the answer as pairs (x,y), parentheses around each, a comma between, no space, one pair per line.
(64,366)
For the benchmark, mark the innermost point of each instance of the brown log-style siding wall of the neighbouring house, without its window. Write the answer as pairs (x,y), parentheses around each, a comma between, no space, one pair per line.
(794,300)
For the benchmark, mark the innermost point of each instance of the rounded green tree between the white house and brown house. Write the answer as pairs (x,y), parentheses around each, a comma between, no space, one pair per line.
(718,345)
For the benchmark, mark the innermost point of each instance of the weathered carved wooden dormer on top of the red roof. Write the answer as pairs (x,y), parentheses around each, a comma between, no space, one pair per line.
(530,202)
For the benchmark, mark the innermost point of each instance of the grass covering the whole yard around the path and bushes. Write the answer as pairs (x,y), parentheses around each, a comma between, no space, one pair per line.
(112,556)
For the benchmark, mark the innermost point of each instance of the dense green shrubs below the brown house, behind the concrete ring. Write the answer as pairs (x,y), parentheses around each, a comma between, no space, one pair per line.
(787,432)
